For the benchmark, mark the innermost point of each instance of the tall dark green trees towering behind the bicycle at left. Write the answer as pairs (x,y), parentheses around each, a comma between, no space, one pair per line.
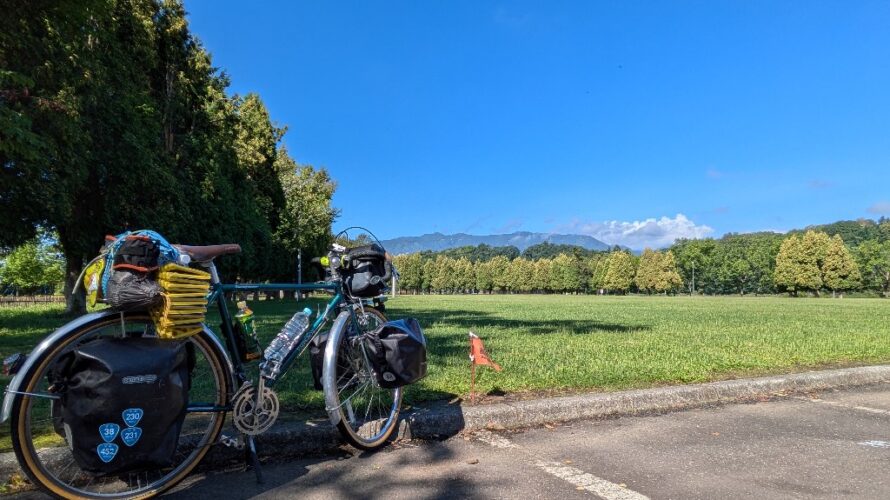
(113,117)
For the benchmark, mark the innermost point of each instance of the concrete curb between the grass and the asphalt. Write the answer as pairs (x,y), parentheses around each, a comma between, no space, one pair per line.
(439,420)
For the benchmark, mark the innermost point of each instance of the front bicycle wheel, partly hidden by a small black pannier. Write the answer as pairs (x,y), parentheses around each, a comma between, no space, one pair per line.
(355,383)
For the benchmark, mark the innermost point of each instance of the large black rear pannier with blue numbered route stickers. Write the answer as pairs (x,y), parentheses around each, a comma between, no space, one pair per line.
(123,402)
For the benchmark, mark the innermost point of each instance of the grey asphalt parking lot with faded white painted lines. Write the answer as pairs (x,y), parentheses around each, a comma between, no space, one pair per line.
(828,445)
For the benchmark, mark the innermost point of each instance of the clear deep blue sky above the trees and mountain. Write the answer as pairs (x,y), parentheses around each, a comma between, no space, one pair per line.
(634,122)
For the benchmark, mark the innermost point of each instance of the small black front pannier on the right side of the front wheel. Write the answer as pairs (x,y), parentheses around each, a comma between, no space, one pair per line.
(397,351)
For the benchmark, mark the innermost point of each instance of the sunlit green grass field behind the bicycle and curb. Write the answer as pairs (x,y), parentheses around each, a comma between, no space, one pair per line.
(567,343)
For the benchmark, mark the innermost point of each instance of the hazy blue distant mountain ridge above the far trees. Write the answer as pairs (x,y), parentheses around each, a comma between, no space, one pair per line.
(521,240)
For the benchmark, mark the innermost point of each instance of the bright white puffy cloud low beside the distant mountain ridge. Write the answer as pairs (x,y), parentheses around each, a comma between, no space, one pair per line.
(652,233)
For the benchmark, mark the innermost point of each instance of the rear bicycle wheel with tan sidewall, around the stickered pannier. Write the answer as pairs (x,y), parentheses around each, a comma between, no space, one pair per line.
(53,468)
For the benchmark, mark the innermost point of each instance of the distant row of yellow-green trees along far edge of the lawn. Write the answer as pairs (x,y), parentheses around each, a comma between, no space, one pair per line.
(801,262)
